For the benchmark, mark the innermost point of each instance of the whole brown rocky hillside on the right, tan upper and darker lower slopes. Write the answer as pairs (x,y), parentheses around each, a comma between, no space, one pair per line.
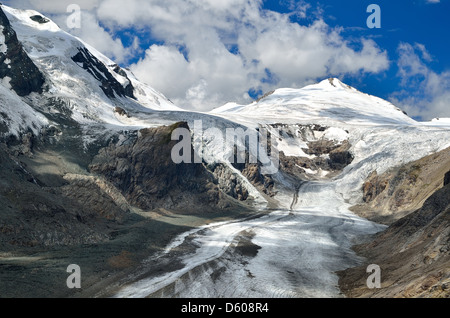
(414,251)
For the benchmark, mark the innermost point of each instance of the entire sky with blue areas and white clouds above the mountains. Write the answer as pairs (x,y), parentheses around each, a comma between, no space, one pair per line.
(204,53)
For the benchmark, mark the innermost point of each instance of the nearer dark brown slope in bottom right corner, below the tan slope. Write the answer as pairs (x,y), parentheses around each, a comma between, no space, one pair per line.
(413,254)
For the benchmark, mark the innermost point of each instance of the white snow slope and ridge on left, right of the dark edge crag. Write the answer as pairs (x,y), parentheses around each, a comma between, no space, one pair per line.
(53,49)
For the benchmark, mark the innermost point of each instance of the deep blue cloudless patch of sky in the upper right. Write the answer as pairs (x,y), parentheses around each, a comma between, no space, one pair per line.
(402,22)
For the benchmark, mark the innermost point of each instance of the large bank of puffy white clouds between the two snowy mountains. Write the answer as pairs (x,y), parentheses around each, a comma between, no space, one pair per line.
(210,52)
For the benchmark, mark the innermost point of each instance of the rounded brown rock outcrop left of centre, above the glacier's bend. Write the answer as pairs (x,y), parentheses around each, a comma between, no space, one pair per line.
(141,167)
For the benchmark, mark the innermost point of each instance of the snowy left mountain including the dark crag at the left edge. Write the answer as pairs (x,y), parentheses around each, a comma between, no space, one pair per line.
(85,83)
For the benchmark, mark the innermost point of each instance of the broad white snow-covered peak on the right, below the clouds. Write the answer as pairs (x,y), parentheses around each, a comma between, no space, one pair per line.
(328,100)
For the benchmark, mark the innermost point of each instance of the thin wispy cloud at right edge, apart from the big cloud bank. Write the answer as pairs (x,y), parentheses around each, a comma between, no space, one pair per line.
(426,93)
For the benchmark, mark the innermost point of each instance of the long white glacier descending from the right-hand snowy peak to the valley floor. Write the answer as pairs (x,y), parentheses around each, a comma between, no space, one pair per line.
(309,237)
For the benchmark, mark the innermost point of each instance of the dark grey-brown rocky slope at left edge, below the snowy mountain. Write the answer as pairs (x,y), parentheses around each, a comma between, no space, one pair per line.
(33,215)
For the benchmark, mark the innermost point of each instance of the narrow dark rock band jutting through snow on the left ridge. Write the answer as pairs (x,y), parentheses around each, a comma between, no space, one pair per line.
(110,86)
